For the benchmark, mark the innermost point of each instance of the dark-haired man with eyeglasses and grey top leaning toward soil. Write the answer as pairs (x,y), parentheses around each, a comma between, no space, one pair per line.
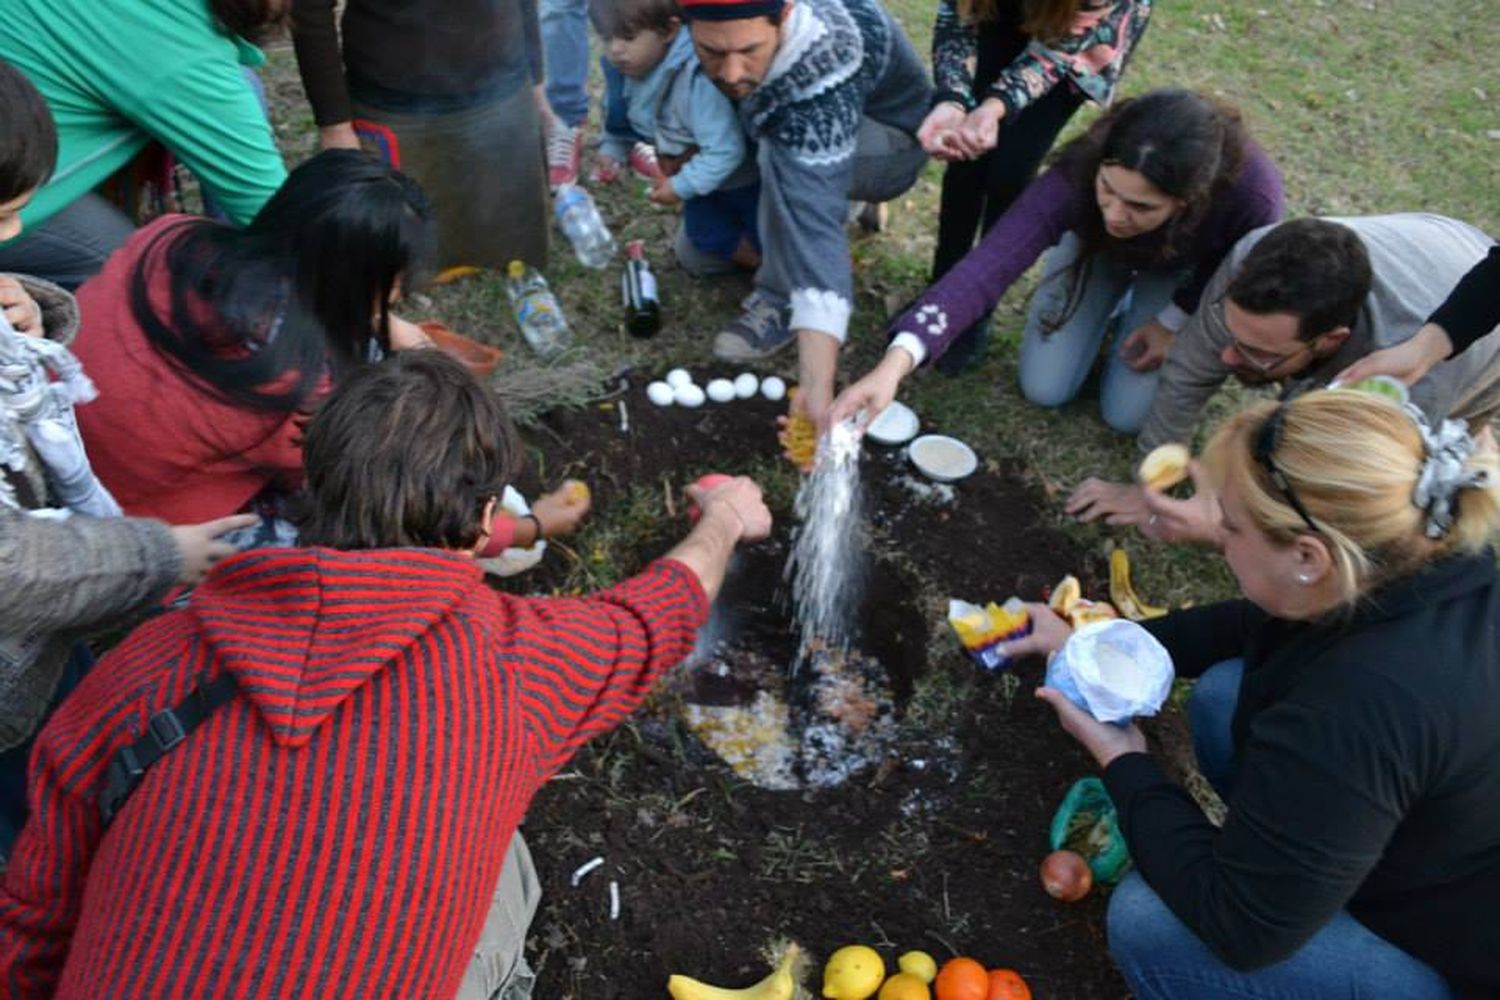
(1292,307)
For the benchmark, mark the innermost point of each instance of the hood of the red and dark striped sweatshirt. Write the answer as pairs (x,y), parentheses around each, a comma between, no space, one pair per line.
(305,629)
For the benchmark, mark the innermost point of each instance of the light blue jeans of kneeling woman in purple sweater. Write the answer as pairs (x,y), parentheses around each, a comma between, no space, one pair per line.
(1055,364)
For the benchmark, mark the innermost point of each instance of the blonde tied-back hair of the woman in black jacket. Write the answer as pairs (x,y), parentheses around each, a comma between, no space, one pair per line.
(1354,461)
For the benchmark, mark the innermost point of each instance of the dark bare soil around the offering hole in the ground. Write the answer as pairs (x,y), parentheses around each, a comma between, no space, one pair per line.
(937,849)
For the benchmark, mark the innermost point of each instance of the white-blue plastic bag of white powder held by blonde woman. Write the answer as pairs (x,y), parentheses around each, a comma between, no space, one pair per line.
(1115,671)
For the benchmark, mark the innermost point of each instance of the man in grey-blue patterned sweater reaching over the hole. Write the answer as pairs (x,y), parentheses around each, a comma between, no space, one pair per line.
(833,94)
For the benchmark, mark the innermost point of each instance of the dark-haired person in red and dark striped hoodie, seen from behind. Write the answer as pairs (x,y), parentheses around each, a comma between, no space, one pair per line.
(373,723)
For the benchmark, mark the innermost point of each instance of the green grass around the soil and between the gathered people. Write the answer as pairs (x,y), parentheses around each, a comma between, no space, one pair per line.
(1367,107)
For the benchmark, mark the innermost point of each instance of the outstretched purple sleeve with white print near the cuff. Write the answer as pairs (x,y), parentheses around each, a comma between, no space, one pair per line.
(1049,208)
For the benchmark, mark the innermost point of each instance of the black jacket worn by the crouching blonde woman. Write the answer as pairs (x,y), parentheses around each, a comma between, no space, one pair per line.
(1369,779)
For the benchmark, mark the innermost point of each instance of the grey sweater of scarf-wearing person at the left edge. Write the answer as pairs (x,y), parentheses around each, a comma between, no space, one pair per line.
(65,579)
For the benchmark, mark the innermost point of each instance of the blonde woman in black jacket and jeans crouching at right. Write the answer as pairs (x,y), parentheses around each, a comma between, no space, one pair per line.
(1346,713)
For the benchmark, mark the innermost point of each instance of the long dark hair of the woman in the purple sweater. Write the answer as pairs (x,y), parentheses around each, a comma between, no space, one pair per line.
(1189,146)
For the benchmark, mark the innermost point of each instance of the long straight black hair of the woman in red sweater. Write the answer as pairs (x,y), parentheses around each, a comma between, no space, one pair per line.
(262,314)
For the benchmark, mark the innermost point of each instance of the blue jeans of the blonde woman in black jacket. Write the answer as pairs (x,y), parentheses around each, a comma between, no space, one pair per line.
(1163,960)
